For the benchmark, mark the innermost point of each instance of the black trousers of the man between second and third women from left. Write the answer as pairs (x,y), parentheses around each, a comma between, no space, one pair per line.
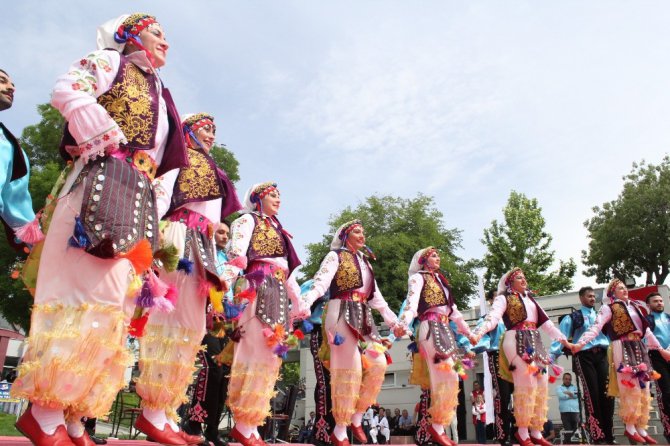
(211,390)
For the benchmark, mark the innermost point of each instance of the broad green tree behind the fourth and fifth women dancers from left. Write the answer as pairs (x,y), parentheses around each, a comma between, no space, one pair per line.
(395,229)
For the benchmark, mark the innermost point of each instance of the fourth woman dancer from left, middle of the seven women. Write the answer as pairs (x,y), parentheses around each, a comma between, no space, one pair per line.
(347,273)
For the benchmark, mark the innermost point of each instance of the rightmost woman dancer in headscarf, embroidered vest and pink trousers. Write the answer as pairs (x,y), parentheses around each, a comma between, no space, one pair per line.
(625,324)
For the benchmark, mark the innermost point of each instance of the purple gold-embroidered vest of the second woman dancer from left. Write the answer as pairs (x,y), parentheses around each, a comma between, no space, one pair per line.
(202,180)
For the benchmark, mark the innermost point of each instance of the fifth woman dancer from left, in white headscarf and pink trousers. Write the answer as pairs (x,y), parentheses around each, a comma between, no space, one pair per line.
(430,299)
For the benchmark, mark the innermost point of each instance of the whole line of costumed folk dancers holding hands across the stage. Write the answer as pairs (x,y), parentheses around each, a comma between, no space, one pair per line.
(130,249)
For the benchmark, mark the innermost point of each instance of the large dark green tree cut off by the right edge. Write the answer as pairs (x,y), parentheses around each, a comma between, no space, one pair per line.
(630,236)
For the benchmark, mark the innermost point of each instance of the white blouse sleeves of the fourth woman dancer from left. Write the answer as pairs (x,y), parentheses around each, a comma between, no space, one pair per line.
(324,276)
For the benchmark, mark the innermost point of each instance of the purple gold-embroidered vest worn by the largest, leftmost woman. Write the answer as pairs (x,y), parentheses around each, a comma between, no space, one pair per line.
(132,101)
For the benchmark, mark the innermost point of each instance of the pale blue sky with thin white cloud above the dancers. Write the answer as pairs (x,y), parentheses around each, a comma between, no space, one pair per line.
(336,101)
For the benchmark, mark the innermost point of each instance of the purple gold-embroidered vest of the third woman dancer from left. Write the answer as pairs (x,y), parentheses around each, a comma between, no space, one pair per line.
(268,241)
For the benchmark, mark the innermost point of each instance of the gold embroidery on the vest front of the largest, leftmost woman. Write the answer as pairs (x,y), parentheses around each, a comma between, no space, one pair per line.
(129,103)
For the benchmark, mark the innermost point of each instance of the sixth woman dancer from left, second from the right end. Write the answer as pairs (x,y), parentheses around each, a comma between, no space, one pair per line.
(522,348)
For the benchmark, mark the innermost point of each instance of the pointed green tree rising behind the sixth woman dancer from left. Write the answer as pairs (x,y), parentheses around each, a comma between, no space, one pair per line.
(520,240)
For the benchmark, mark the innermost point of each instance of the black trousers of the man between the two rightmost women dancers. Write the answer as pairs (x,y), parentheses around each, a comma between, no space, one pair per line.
(592,369)
